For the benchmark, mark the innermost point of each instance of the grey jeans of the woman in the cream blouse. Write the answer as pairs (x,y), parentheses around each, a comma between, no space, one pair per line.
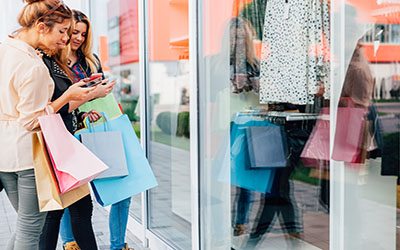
(21,191)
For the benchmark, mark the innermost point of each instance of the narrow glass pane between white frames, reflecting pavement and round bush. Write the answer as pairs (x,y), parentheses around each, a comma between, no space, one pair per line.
(169,151)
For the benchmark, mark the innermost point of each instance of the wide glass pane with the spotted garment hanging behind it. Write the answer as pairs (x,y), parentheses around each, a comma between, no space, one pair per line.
(264,124)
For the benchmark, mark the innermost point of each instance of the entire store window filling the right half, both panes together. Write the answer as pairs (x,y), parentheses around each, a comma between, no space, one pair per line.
(299,119)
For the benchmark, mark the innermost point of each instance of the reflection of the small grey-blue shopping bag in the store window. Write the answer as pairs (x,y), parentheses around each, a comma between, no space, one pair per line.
(267,146)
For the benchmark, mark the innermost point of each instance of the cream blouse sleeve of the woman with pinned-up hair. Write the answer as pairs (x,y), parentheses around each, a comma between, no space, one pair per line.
(34,95)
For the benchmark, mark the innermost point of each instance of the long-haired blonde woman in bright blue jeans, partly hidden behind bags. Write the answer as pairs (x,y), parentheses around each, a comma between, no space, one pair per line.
(83,63)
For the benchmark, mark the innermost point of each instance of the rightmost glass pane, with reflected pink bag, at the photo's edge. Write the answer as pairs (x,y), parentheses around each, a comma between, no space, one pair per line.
(367,116)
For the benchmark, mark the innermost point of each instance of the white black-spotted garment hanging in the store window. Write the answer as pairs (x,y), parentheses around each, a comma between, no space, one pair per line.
(295,48)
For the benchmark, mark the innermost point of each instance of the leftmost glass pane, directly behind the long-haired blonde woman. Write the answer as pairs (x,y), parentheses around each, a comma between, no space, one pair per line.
(116,43)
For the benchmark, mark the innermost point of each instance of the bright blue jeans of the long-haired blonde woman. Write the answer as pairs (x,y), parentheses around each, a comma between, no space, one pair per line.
(117,224)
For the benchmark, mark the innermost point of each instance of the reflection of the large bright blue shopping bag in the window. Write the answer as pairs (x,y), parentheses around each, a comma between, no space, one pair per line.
(241,175)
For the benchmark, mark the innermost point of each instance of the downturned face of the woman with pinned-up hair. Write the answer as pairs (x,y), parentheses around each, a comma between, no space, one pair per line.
(57,37)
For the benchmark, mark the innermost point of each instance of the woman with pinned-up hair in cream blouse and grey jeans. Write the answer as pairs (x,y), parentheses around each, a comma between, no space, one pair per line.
(26,89)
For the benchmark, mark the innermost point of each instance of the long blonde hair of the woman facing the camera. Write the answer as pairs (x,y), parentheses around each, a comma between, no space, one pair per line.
(86,47)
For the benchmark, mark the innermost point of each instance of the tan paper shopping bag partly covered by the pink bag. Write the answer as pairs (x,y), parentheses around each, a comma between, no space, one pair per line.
(49,196)
